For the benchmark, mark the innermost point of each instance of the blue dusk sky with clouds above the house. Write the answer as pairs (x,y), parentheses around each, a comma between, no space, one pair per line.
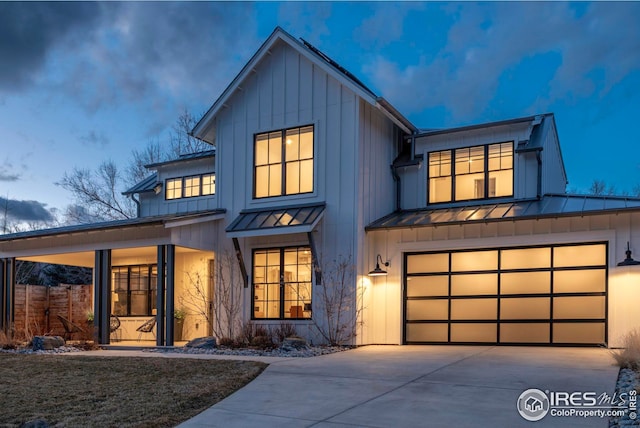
(85,82)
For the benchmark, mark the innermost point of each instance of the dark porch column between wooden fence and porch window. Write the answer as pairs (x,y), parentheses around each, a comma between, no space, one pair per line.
(102,293)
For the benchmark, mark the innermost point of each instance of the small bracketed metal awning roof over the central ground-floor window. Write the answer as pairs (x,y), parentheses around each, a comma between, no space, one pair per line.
(276,218)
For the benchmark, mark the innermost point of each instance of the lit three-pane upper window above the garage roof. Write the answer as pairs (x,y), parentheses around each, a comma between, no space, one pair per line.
(477,172)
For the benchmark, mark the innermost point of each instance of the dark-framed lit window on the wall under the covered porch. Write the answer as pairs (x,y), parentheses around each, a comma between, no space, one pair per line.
(134,290)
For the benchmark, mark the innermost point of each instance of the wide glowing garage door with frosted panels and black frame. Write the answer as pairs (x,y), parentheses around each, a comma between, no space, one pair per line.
(553,295)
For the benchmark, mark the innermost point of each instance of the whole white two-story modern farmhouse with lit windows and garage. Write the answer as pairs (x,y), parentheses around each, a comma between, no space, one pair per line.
(462,235)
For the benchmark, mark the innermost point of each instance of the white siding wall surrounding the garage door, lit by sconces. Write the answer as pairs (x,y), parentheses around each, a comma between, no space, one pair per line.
(384,316)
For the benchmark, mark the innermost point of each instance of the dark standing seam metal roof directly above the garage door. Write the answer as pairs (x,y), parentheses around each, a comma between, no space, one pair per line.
(550,206)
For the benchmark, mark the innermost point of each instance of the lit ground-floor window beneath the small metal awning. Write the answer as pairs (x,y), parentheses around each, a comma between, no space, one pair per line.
(282,283)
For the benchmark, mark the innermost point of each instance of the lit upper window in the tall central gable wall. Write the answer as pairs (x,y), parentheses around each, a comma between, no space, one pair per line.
(283,162)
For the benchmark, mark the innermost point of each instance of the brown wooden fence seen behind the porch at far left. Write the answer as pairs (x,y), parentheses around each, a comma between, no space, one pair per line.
(37,307)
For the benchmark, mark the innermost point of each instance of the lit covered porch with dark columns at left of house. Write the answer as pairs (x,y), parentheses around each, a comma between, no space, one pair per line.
(153,278)
